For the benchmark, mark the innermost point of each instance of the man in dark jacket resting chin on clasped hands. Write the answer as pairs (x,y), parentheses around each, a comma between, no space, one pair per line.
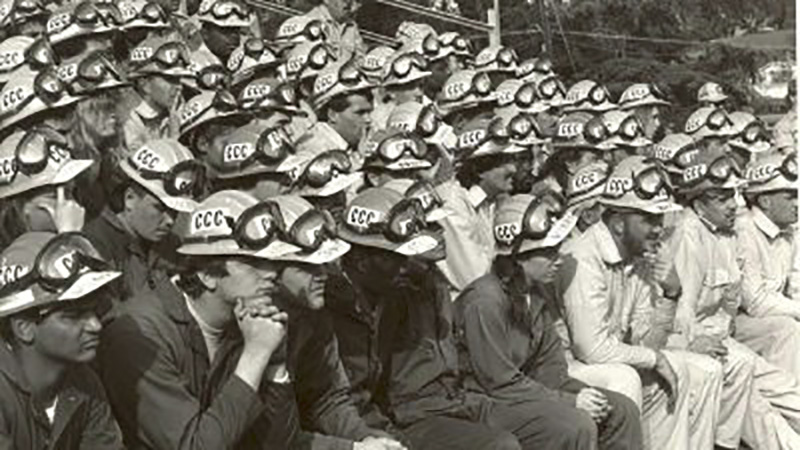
(205,366)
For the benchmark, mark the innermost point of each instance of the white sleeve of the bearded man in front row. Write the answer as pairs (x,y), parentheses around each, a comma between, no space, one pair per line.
(588,314)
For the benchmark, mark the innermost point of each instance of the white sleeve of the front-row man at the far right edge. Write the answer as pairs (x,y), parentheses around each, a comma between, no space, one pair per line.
(760,298)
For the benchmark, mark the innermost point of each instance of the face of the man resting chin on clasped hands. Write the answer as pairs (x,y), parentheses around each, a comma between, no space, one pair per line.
(248,278)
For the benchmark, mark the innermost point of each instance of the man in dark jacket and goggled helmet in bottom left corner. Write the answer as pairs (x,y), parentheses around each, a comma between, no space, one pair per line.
(49,397)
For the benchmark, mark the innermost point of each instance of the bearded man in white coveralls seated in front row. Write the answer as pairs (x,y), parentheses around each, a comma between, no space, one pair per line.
(607,299)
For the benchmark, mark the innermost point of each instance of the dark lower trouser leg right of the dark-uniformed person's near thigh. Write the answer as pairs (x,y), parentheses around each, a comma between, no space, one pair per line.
(622,429)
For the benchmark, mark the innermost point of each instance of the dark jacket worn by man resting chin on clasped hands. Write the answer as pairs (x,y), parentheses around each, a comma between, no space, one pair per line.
(167,395)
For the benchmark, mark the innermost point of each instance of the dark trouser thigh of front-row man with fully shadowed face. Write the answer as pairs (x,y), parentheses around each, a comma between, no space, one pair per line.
(447,433)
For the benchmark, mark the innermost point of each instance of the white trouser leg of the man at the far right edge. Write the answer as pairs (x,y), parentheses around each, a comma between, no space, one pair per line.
(775,338)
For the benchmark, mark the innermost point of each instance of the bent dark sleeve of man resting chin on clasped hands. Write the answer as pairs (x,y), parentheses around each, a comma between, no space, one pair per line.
(152,399)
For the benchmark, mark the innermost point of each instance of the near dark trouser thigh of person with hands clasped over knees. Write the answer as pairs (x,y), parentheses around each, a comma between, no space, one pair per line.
(549,423)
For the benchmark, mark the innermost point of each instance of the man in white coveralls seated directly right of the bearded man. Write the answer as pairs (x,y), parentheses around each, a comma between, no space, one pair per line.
(704,256)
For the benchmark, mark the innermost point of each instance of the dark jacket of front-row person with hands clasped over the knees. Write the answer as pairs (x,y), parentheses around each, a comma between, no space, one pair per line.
(509,361)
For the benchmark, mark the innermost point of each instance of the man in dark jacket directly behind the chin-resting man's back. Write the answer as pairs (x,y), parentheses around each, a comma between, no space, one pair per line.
(162,179)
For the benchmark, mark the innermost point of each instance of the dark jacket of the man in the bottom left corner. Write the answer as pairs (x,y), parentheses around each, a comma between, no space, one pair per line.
(83,418)
